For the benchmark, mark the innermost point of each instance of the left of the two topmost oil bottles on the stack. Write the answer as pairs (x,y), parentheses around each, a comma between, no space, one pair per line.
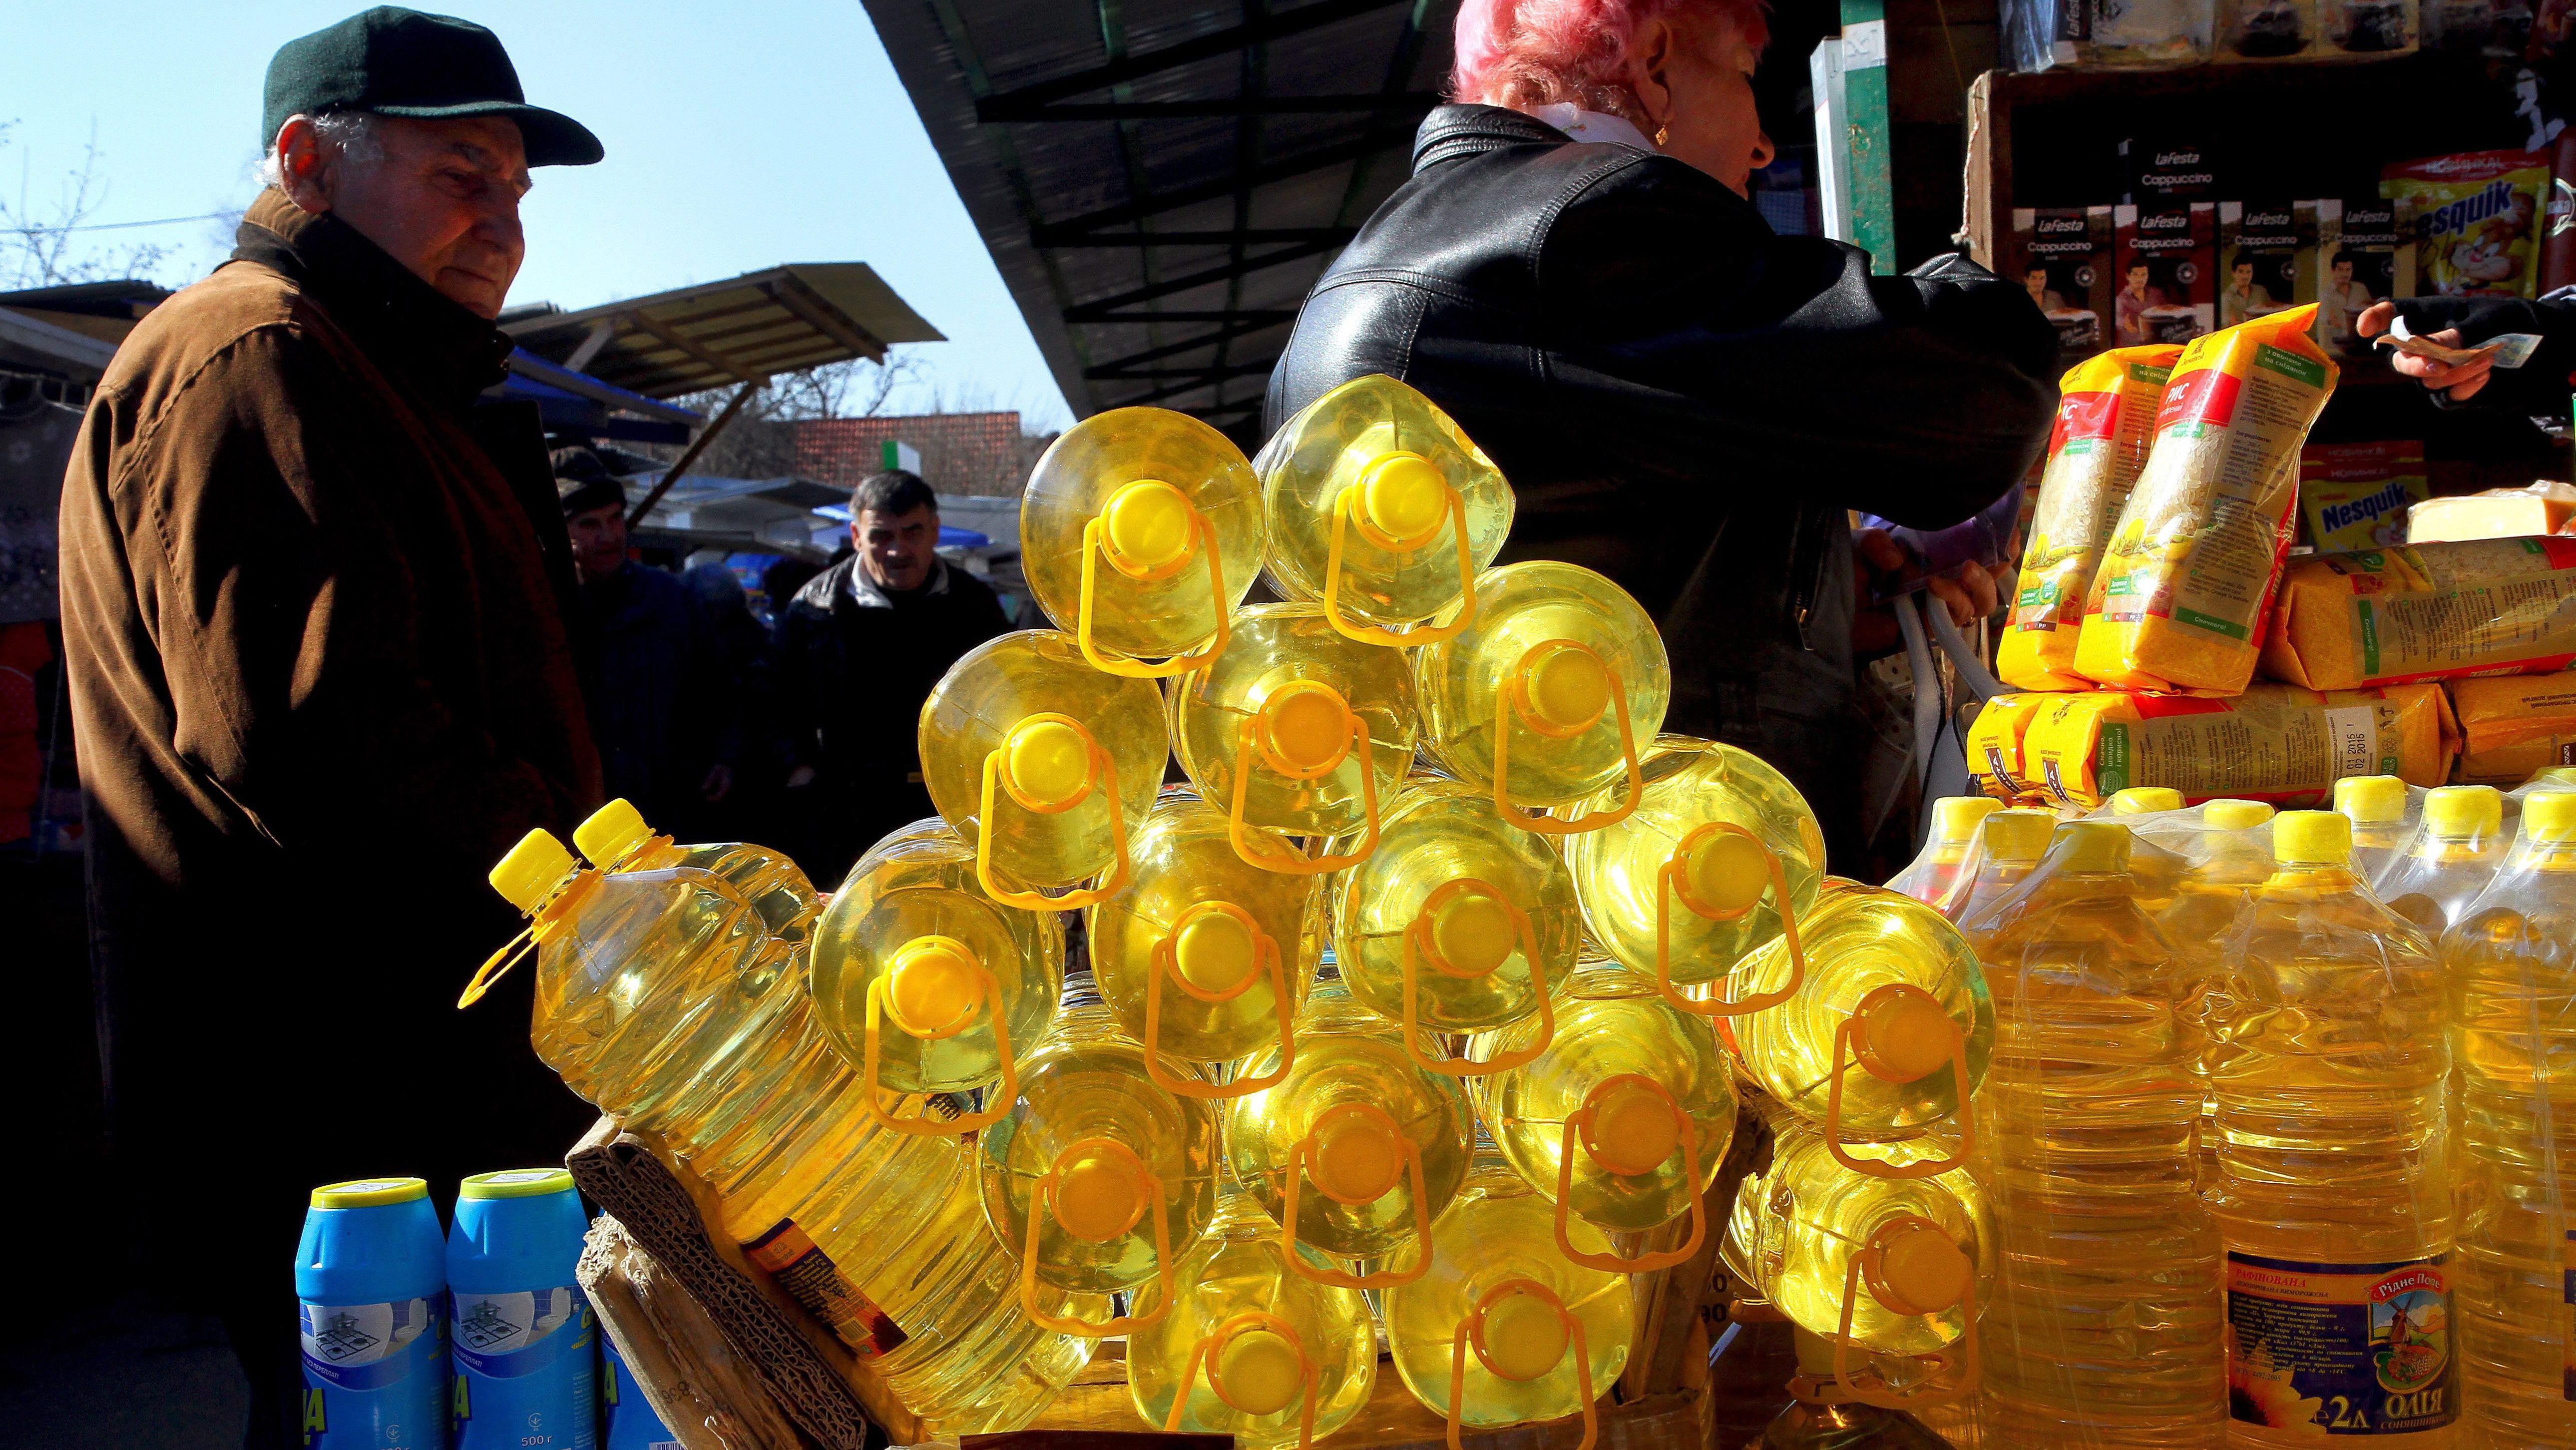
(1160,485)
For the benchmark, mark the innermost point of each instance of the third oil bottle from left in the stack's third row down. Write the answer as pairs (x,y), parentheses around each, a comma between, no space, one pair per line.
(1457,923)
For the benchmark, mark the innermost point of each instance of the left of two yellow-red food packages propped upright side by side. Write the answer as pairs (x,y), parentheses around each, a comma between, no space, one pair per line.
(2106,416)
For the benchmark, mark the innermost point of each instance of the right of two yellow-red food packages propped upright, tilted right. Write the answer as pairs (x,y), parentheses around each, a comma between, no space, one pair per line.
(2188,578)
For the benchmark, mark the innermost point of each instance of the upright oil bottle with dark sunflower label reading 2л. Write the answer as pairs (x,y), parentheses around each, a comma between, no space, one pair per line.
(2333,1183)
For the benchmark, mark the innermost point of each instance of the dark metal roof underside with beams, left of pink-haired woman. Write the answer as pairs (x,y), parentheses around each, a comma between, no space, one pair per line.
(1160,182)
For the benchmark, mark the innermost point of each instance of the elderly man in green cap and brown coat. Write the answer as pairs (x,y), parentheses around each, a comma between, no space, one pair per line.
(321,679)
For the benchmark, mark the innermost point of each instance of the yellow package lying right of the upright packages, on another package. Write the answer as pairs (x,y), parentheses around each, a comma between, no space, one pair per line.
(2492,607)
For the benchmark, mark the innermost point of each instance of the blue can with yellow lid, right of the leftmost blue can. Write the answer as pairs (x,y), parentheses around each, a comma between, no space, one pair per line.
(527,1348)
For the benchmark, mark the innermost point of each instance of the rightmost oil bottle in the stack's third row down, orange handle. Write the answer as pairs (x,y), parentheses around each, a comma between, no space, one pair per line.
(1691,784)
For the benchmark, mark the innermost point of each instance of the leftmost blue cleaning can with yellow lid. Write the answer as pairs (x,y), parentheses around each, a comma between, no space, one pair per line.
(375,1317)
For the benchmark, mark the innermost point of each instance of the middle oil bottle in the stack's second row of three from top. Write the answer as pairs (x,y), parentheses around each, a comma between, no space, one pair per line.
(1256,710)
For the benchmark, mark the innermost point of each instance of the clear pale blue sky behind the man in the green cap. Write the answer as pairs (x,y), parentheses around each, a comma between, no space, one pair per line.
(738,138)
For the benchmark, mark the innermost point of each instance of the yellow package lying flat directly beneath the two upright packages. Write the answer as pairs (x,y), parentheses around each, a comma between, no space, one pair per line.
(2276,743)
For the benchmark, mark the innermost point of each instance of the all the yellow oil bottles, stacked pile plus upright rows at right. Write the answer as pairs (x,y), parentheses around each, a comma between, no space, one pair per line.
(1431,995)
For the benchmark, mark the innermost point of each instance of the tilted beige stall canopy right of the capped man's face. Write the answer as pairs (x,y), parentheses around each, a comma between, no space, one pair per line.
(728,334)
